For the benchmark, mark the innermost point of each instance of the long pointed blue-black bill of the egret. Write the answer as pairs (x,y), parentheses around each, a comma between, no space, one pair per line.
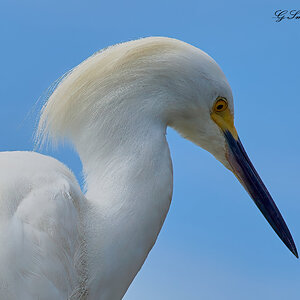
(249,178)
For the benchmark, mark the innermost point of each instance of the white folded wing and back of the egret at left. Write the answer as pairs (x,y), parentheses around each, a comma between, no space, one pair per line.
(41,244)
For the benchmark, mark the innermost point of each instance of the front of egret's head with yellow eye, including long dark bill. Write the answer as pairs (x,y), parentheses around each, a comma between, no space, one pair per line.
(205,116)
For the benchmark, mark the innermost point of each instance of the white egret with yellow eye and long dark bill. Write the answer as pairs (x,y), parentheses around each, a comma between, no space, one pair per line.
(58,243)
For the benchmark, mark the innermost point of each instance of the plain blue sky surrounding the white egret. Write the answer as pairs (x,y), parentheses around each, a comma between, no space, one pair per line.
(215,244)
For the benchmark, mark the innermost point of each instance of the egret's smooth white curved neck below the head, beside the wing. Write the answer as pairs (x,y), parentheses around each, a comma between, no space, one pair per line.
(129,189)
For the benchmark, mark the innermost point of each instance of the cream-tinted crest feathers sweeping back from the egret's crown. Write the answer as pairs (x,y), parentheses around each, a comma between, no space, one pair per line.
(72,97)
